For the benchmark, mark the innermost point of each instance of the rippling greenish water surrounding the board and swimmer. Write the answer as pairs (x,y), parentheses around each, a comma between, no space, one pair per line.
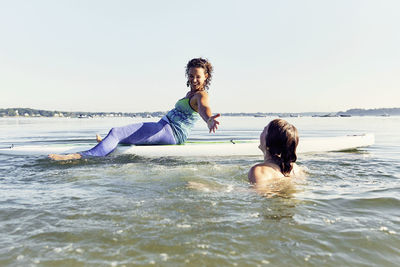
(128,210)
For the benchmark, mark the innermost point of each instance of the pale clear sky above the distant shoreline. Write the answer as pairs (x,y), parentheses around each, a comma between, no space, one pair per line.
(268,56)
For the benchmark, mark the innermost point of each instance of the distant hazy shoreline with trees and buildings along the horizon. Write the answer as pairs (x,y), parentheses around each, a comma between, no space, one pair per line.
(28,112)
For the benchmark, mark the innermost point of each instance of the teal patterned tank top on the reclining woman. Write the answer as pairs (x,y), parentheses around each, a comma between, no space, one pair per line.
(182,119)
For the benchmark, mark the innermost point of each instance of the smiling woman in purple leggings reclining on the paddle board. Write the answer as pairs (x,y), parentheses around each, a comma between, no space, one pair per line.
(173,128)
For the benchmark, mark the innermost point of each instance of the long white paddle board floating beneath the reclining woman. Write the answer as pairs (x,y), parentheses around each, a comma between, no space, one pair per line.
(205,148)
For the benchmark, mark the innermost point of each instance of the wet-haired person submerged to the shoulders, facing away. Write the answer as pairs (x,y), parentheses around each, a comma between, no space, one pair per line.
(278,142)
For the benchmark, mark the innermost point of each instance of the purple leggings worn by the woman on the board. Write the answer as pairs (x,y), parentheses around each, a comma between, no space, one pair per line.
(147,133)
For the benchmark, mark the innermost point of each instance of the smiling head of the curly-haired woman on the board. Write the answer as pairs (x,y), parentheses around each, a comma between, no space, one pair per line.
(199,73)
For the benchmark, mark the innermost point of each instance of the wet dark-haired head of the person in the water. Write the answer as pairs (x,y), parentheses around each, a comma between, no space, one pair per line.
(280,141)
